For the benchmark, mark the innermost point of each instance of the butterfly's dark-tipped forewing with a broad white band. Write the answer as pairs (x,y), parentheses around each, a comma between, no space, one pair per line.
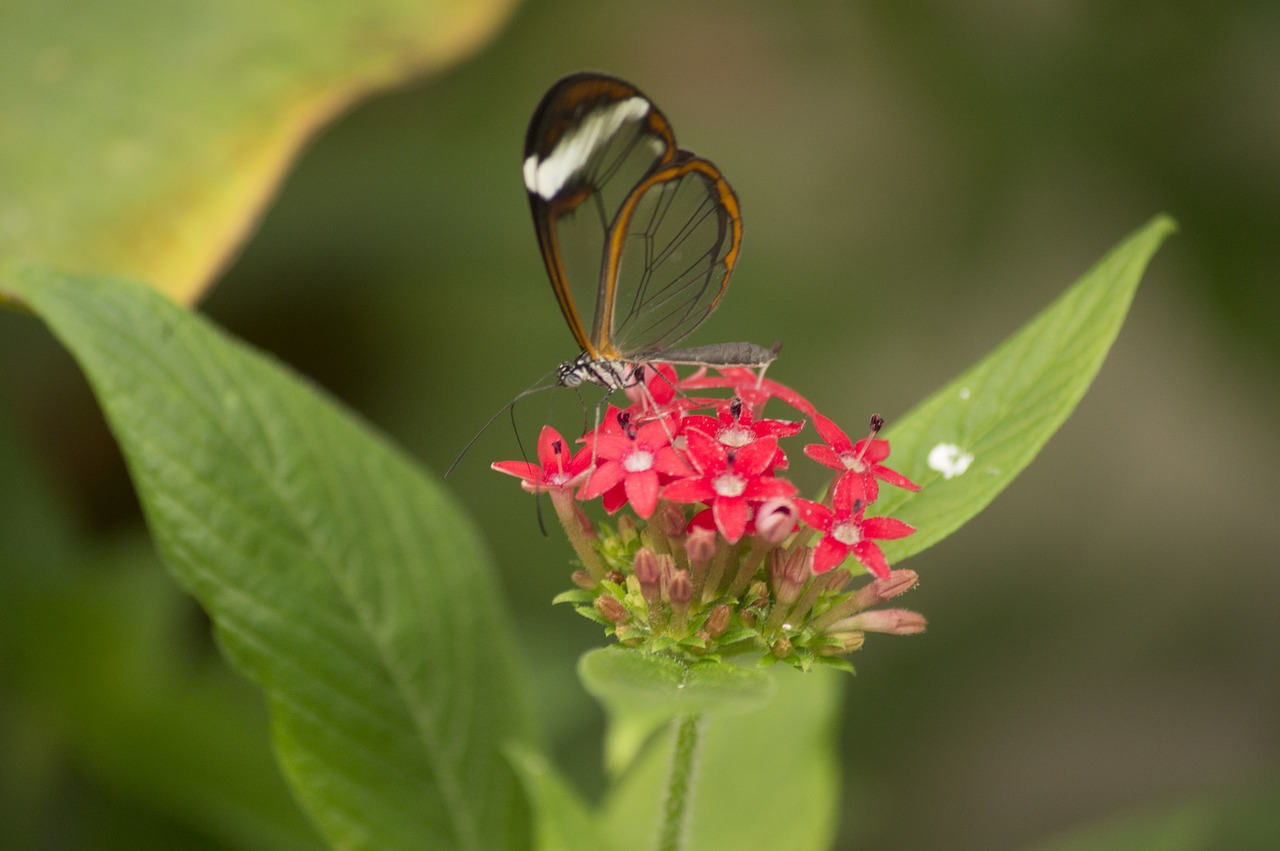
(592,140)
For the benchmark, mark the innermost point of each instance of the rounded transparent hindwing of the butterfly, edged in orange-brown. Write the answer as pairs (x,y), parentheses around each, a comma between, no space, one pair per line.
(669,258)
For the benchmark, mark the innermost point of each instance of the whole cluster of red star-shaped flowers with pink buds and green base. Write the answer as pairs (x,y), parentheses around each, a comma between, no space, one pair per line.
(721,556)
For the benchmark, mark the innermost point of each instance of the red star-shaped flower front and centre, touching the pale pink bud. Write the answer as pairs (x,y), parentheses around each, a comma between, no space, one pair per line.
(728,479)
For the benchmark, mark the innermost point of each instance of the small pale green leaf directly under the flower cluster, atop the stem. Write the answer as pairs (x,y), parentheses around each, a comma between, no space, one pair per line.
(643,693)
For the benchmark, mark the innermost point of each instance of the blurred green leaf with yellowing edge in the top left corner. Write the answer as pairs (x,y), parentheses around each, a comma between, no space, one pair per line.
(144,138)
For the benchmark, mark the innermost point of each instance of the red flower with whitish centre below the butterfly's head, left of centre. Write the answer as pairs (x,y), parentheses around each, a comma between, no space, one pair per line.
(634,459)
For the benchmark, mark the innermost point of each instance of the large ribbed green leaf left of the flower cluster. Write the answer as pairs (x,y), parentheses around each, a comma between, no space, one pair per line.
(339,578)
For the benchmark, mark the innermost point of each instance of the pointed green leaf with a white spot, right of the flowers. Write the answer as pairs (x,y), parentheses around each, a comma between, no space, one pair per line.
(1004,410)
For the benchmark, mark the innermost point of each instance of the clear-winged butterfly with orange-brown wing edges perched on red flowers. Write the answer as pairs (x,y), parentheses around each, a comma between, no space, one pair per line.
(656,227)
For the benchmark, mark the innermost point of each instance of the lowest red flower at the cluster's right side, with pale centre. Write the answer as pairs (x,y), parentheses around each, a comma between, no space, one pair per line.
(845,530)
